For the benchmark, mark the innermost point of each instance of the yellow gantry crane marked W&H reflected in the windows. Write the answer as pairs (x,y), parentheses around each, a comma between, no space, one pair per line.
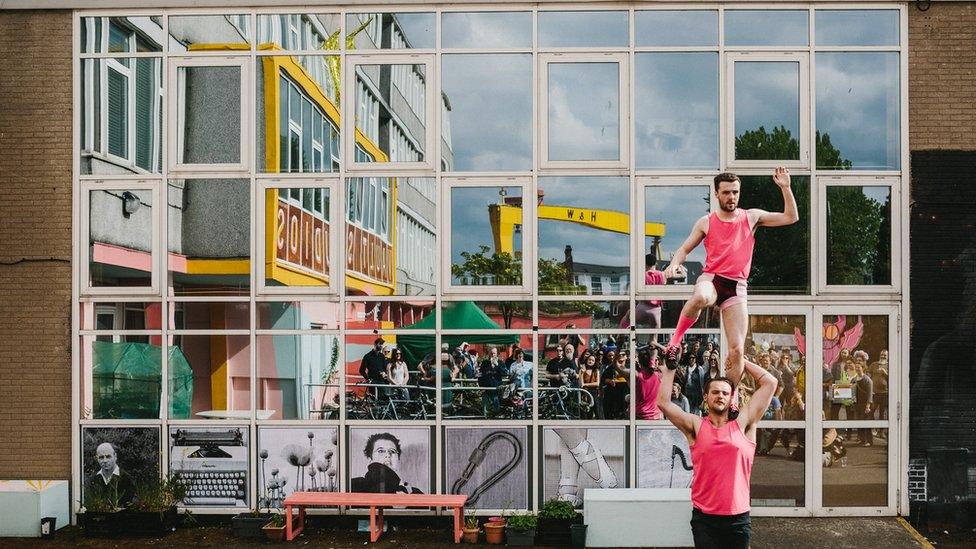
(507,217)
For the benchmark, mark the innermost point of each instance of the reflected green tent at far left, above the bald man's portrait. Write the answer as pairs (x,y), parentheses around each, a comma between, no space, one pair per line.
(126,381)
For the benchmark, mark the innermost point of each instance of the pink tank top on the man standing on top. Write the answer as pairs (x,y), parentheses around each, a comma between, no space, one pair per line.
(728,246)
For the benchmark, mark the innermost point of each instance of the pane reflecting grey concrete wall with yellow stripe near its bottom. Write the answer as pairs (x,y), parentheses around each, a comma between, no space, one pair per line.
(209,236)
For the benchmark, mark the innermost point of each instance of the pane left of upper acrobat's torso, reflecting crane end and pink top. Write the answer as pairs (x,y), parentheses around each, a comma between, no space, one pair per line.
(670,212)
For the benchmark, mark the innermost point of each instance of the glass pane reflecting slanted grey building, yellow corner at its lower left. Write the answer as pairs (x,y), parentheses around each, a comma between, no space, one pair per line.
(391,112)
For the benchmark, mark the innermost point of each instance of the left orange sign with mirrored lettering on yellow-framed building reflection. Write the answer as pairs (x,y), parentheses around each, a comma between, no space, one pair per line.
(301,239)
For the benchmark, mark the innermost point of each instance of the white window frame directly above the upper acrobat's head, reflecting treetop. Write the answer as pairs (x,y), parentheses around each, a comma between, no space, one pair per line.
(800,57)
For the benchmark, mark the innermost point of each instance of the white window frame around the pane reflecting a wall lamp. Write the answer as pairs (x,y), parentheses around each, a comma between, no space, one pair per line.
(148,186)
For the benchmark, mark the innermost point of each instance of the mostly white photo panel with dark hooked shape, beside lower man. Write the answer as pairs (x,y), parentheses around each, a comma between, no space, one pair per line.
(663,458)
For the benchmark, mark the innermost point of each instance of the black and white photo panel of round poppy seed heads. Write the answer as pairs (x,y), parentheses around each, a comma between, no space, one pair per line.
(296,459)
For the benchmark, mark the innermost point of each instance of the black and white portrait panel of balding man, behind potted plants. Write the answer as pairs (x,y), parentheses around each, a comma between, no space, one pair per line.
(117,463)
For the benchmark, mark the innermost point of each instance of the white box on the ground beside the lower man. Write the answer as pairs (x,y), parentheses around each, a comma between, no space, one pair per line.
(638,517)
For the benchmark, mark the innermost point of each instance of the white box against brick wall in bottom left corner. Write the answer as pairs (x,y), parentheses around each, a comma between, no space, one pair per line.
(23,503)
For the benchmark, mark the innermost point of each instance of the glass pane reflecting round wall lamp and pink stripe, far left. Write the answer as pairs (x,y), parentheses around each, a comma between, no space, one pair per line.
(120,228)
